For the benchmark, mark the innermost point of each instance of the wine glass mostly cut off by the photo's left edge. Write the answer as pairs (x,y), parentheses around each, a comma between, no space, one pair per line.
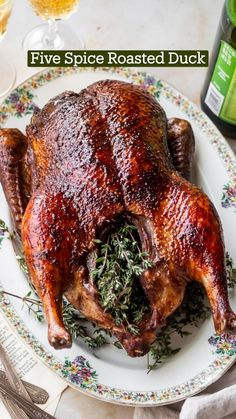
(7,71)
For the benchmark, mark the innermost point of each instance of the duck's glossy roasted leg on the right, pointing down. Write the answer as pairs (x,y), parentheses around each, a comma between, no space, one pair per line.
(195,246)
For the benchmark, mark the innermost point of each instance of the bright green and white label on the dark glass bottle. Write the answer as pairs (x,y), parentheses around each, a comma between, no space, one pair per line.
(221,94)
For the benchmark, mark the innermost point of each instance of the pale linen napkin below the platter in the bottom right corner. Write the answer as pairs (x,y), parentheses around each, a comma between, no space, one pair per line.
(218,401)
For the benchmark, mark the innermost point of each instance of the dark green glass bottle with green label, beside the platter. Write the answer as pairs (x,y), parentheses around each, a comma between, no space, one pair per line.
(218,97)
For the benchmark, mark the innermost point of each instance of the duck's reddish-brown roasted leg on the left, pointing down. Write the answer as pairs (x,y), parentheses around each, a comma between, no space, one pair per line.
(46,236)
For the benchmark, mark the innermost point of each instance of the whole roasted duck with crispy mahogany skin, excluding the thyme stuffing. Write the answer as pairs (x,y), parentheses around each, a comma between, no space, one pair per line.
(95,156)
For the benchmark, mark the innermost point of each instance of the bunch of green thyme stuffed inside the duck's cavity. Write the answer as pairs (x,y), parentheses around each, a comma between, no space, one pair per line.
(119,265)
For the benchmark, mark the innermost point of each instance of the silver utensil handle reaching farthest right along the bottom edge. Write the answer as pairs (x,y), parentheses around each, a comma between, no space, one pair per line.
(30,409)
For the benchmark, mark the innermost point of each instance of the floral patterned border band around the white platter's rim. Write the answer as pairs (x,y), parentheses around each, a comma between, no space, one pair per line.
(78,371)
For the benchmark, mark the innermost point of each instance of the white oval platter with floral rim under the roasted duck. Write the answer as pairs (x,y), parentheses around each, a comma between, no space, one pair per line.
(108,373)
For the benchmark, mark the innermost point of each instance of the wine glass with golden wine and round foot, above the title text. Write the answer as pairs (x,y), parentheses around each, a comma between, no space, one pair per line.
(53,35)
